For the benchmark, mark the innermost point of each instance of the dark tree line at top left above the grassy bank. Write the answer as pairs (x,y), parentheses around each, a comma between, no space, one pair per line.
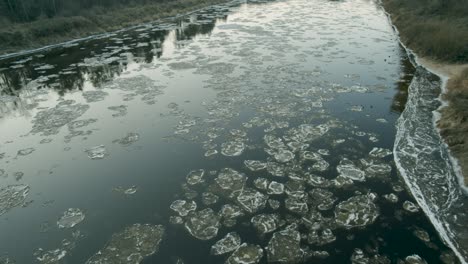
(31,10)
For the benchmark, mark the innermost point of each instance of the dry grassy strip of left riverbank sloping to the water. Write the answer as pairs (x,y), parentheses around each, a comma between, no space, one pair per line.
(45,31)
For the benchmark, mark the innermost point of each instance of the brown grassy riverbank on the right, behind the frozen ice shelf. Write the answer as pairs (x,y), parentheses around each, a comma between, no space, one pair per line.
(438,33)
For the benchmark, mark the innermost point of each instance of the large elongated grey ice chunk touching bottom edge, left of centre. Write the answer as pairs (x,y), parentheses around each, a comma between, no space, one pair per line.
(132,245)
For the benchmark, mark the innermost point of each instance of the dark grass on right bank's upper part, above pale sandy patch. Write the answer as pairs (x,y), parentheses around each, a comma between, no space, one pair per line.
(432,28)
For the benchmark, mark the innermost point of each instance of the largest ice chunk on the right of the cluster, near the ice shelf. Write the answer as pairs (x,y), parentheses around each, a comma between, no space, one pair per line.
(357,211)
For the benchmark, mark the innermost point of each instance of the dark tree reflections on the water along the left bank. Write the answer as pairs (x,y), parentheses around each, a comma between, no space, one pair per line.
(97,60)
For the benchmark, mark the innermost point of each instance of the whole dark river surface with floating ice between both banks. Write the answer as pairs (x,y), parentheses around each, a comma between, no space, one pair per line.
(109,129)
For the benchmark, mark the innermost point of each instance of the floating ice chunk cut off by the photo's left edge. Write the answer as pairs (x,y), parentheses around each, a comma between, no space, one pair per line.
(12,196)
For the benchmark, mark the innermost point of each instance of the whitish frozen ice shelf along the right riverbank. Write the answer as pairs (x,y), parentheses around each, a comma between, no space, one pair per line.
(431,173)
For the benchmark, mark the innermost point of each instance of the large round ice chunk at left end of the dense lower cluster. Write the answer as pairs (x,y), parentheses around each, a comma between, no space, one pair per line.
(203,224)
